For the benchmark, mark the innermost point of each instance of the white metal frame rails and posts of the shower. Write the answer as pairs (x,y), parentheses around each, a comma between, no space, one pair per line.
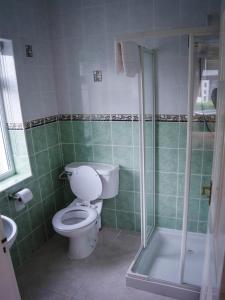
(191,32)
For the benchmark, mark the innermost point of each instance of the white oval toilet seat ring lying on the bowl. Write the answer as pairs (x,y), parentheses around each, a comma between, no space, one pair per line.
(87,216)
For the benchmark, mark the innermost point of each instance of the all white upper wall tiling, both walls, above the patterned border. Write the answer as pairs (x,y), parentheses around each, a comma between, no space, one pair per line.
(82,40)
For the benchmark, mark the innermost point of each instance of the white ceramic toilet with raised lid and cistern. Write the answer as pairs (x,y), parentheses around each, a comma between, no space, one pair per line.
(81,220)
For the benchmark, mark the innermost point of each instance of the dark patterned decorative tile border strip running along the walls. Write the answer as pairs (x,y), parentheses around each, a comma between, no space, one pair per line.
(108,117)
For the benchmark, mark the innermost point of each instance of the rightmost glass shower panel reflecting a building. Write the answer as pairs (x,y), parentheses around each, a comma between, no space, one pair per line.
(206,77)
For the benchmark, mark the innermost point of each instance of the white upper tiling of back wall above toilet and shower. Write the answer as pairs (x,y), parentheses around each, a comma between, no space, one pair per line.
(83,35)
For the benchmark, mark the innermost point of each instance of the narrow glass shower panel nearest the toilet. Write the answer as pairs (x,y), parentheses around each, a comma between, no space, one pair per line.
(147,141)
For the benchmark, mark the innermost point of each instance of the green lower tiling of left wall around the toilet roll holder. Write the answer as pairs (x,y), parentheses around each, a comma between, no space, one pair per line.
(34,222)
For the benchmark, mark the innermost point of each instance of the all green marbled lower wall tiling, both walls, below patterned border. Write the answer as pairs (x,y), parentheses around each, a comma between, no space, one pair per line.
(55,144)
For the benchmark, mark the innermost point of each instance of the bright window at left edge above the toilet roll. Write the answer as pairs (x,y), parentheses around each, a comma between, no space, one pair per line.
(6,160)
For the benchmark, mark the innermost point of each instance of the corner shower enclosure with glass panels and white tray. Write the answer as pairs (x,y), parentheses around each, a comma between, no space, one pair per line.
(178,97)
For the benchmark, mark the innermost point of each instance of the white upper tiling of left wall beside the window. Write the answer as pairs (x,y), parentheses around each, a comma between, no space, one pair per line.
(26,22)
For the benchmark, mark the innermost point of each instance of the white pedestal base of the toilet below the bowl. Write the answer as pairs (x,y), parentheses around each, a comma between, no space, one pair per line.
(82,245)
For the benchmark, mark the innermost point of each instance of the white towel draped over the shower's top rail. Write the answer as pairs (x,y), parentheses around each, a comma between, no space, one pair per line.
(127,58)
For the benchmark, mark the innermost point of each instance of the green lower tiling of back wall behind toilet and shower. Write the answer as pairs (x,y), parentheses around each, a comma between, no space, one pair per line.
(117,142)
